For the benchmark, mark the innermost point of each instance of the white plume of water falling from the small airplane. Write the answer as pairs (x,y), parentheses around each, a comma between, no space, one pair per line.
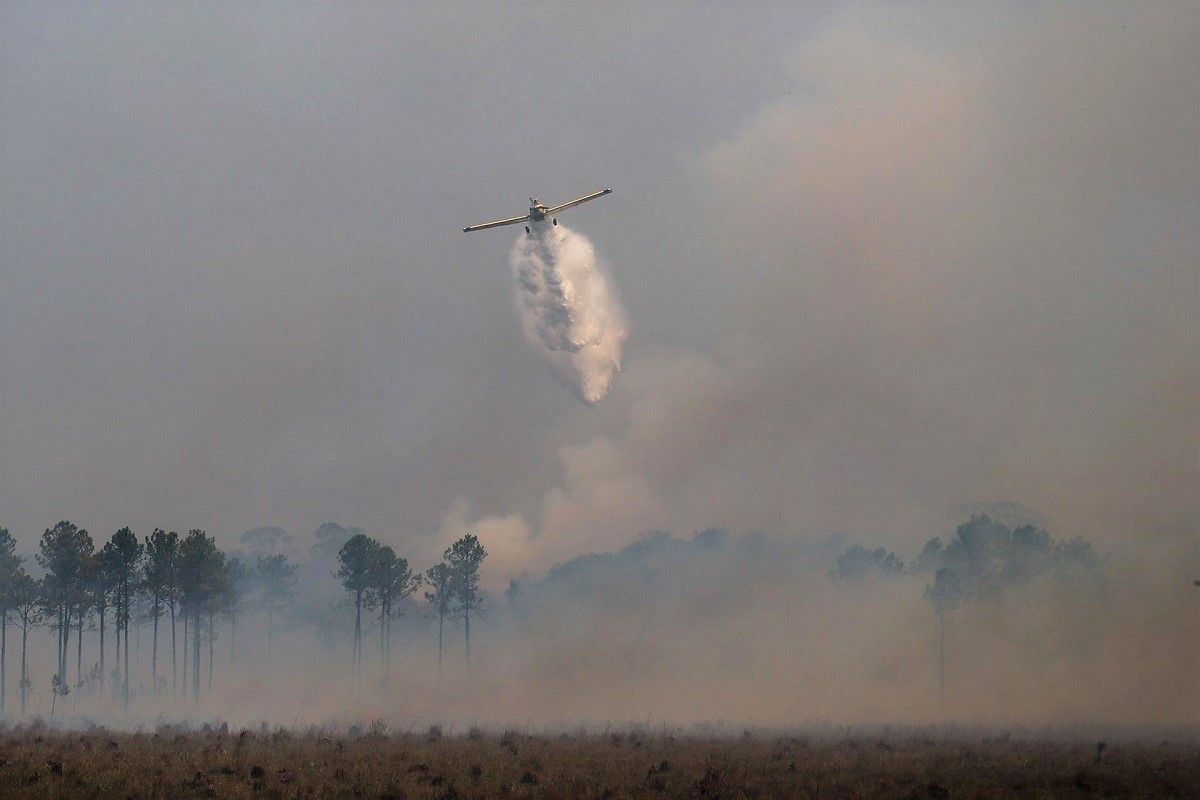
(568,309)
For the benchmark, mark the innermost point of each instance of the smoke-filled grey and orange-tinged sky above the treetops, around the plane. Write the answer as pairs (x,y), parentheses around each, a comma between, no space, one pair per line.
(879,266)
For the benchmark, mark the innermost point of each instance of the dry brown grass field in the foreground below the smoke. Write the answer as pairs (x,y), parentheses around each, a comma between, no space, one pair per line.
(39,762)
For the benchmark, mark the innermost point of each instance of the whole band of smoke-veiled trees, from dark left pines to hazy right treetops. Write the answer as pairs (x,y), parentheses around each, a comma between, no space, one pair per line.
(187,590)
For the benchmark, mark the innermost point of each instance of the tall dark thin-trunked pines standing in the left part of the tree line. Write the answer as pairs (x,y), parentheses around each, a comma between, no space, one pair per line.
(185,587)
